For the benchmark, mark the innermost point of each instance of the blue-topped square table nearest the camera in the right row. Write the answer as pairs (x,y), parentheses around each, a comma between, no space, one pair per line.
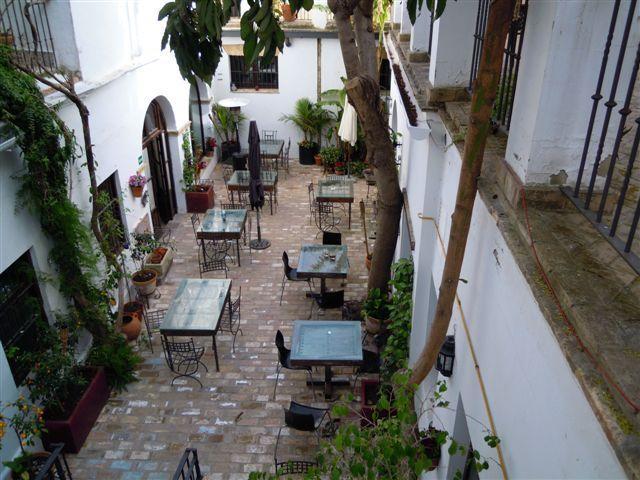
(326,343)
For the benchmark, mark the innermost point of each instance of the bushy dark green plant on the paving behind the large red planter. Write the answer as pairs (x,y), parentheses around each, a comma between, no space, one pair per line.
(120,363)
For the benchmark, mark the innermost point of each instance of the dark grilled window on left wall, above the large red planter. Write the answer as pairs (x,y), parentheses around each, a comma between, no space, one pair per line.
(21,310)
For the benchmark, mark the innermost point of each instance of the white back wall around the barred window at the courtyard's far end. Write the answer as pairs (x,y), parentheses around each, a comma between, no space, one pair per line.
(297,78)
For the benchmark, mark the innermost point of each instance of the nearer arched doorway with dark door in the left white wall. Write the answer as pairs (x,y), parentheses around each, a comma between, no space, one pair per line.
(155,147)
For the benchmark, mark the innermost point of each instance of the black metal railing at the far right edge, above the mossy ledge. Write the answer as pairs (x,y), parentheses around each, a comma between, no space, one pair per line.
(607,199)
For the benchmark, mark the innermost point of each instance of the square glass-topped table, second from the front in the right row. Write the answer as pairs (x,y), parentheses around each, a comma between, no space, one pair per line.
(315,262)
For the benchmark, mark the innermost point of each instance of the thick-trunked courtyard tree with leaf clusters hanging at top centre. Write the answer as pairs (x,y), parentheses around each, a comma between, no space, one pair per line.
(194,32)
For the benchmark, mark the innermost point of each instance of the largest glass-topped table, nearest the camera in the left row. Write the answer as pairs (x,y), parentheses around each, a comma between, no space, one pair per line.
(197,309)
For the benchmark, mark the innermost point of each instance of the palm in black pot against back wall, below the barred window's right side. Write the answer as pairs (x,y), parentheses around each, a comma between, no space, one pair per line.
(311,119)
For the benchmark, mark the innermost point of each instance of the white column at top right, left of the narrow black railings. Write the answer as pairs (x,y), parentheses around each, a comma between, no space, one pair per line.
(452,45)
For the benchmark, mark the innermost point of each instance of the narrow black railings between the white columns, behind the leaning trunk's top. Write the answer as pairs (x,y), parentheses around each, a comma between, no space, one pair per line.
(503,106)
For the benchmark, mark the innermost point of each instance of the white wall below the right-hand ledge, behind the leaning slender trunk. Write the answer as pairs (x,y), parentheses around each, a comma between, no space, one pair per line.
(539,408)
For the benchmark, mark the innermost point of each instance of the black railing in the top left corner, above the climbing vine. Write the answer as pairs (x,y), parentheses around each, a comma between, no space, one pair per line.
(24,26)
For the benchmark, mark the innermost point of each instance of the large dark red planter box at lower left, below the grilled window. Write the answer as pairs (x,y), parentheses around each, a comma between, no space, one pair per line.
(74,430)
